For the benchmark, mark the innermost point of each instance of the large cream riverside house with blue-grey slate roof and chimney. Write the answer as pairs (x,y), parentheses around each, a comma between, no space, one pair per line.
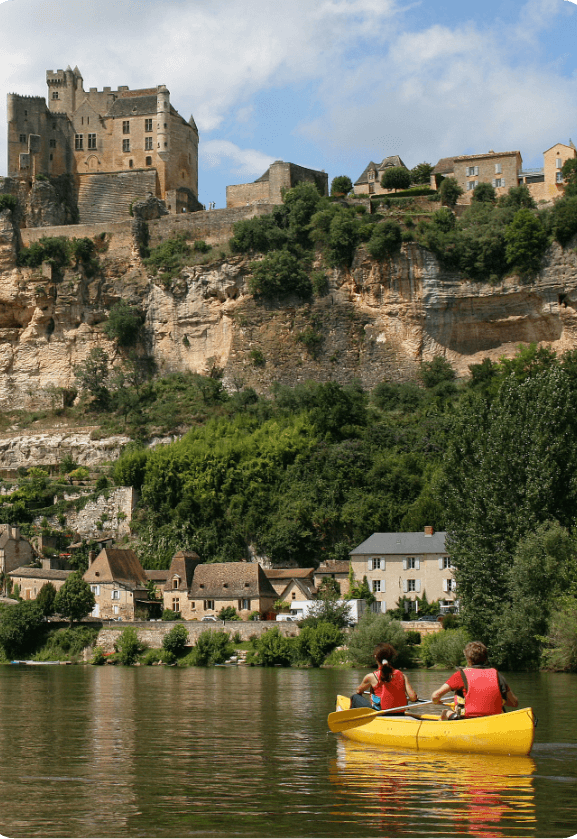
(405,565)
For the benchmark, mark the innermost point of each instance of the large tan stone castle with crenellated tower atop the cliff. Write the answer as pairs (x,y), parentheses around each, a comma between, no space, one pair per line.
(114,145)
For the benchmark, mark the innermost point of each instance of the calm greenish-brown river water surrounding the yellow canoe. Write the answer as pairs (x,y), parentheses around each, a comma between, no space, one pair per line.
(151,752)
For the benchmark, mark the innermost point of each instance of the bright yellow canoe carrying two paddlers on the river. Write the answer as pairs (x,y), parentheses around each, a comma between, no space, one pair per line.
(502,734)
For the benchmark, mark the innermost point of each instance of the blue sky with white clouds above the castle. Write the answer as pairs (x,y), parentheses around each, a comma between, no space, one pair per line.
(327,84)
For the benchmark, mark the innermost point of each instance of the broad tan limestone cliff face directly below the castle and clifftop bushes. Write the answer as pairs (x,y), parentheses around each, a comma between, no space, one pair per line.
(377,320)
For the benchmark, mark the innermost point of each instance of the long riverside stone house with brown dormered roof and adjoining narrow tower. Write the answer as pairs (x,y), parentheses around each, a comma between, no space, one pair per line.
(214,586)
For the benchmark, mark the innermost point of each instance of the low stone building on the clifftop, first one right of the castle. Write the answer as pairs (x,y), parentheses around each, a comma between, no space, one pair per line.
(268,189)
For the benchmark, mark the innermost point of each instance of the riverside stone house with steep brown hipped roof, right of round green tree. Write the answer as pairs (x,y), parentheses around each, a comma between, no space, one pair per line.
(119,585)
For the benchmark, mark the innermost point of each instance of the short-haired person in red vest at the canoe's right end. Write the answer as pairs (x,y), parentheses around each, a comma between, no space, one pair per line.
(483,689)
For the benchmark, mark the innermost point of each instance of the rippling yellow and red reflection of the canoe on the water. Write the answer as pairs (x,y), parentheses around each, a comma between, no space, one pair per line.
(485,796)
